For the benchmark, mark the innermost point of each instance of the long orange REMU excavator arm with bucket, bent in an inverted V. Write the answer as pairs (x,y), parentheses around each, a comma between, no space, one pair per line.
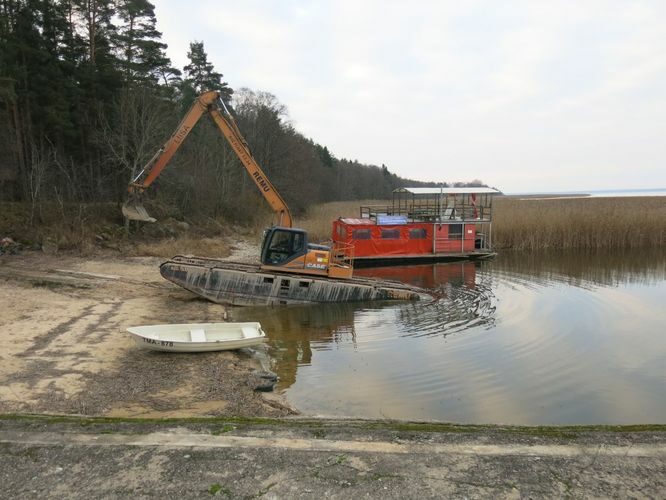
(212,103)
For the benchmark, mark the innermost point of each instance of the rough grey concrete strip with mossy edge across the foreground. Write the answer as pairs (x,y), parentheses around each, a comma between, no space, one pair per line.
(320,458)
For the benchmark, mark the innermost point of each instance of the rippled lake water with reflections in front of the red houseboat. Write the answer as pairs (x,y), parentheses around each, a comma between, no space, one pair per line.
(522,339)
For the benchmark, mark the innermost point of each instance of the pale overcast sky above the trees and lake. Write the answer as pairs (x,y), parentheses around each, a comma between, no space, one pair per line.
(524,95)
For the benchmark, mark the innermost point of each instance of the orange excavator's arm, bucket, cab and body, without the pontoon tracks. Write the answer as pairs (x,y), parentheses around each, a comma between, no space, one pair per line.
(284,248)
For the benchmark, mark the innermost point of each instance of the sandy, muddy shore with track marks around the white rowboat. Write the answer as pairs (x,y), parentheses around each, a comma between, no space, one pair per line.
(64,349)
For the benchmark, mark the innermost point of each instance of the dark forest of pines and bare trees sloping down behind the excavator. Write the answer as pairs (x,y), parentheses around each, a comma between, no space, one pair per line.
(88,95)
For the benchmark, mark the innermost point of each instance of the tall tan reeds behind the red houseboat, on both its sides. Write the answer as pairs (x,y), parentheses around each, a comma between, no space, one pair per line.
(539,224)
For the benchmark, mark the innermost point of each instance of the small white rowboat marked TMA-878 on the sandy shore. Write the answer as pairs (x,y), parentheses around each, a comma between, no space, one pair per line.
(198,337)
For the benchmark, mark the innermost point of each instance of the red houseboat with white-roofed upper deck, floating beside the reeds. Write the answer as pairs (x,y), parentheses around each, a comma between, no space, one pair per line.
(421,225)
